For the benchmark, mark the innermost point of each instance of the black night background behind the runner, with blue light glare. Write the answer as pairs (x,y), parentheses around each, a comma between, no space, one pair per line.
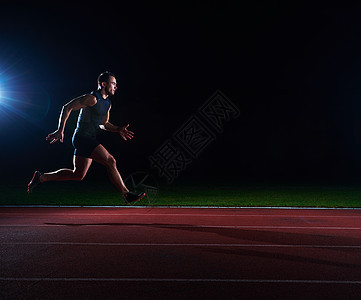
(293,70)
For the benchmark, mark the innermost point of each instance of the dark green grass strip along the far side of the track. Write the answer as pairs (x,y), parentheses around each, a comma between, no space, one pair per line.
(103,193)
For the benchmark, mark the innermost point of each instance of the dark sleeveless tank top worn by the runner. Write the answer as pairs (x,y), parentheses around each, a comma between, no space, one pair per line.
(91,117)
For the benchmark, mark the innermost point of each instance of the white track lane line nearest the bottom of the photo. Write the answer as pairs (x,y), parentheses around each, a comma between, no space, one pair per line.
(195,280)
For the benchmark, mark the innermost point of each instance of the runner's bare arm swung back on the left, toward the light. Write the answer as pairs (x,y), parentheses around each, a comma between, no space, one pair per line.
(75,104)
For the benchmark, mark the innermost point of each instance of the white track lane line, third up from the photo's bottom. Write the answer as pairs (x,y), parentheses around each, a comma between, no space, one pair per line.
(182,226)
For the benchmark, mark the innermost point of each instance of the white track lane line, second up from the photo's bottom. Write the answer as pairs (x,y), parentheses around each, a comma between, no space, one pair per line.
(182,245)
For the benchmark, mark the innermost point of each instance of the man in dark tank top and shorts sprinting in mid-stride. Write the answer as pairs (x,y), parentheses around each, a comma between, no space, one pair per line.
(94,114)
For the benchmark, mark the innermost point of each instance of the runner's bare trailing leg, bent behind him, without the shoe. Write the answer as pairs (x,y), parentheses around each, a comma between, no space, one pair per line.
(81,167)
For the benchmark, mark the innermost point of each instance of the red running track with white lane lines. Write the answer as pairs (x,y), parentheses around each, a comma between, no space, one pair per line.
(179,253)
